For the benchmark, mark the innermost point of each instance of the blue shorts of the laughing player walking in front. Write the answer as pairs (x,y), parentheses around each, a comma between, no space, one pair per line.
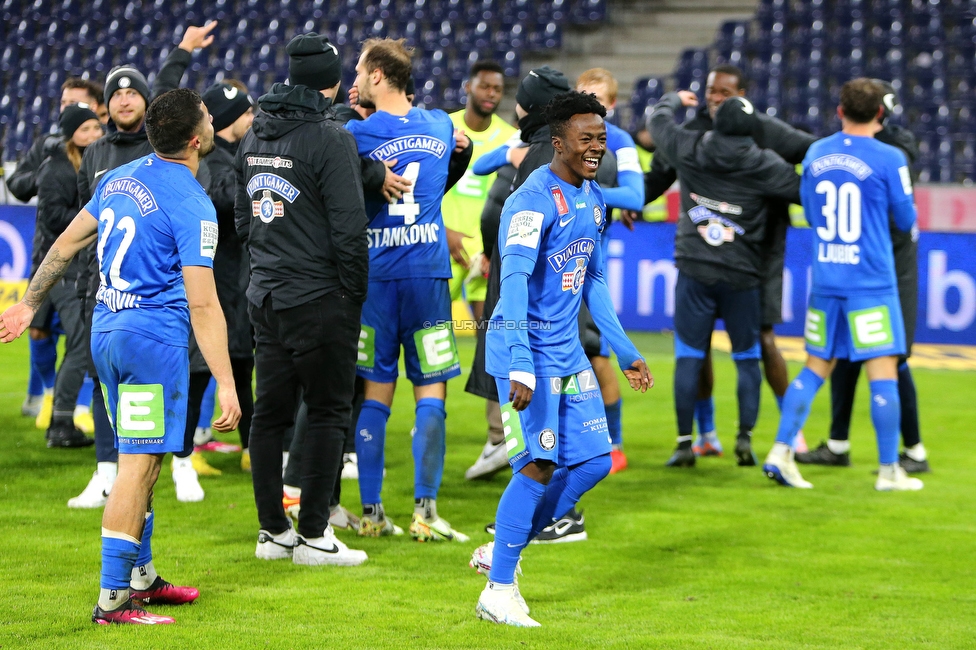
(565,423)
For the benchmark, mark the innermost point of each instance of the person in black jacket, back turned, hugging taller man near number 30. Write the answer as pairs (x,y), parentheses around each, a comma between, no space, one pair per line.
(726,182)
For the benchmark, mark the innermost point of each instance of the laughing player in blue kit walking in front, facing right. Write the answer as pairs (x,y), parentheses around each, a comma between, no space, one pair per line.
(555,424)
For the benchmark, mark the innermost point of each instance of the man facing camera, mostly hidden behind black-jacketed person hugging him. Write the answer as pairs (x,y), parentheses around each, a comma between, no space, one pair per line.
(723,82)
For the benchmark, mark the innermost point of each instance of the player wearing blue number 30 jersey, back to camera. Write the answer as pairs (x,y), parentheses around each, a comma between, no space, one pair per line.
(851,183)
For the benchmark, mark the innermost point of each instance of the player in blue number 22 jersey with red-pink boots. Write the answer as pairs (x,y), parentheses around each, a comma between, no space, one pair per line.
(156,234)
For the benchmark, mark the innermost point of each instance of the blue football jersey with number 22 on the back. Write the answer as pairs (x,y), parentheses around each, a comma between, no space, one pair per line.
(154,218)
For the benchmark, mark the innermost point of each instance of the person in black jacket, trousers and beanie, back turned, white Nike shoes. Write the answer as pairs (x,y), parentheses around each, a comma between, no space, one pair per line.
(301,212)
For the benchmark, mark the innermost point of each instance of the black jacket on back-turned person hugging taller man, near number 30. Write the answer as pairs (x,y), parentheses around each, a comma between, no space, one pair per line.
(726,182)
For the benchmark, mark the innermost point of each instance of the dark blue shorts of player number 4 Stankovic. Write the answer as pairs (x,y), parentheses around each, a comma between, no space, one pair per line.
(414,313)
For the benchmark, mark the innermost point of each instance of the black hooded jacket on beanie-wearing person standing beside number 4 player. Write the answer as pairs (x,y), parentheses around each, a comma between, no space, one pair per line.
(300,208)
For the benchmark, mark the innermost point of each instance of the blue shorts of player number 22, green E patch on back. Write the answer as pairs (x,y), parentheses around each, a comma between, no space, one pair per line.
(145,384)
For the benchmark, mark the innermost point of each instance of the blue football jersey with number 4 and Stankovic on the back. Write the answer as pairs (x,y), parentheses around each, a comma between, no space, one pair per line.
(406,238)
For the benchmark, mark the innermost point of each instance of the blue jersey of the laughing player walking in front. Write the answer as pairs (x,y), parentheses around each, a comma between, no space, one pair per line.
(557,226)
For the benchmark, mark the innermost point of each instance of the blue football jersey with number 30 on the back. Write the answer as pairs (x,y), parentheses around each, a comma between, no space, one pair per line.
(849,187)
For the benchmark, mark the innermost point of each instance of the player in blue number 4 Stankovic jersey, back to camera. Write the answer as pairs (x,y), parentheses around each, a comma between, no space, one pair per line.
(408,301)
